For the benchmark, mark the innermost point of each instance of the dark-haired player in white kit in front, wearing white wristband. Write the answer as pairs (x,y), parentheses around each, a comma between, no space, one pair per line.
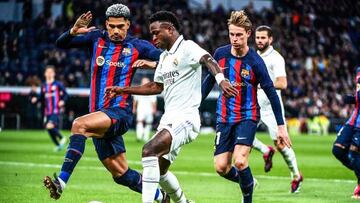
(178,78)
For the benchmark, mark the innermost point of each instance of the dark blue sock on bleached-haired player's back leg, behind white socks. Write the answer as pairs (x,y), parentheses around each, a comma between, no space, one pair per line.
(133,180)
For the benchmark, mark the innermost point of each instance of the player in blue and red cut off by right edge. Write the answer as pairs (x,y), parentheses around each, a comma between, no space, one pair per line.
(347,144)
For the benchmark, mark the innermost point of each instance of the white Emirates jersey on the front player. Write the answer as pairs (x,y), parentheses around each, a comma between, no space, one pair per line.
(179,70)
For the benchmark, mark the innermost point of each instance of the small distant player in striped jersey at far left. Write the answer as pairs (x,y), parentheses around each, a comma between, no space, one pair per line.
(53,97)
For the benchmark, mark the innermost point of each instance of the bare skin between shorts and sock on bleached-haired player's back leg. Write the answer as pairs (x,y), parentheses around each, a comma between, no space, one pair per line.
(116,164)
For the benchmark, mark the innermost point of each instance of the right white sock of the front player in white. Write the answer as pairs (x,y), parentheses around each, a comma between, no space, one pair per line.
(170,184)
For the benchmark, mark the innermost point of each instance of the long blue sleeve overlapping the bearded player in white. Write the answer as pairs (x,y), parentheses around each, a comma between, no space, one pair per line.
(269,89)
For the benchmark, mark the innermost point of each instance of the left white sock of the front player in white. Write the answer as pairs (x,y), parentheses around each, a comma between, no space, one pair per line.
(150,180)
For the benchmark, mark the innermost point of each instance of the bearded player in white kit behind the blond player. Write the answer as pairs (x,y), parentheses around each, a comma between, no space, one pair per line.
(275,64)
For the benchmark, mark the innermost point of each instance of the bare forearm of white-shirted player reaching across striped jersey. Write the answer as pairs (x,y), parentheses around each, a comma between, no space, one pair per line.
(150,88)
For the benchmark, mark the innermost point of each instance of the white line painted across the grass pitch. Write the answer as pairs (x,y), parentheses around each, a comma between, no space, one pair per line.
(42,165)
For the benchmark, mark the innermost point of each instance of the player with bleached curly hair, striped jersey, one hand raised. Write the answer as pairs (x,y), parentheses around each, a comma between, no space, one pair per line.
(114,58)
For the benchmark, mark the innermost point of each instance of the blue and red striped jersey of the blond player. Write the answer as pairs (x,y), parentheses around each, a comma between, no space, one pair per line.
(244,74)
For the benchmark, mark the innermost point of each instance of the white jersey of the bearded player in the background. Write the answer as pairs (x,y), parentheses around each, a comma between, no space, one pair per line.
(275,65)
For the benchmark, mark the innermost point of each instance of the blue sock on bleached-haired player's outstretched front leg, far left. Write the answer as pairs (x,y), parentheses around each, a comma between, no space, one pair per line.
(73,154)
